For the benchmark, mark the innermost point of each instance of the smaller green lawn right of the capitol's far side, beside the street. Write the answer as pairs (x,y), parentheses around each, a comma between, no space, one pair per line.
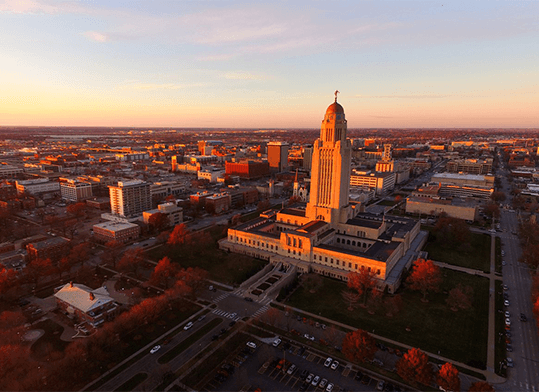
(477,256)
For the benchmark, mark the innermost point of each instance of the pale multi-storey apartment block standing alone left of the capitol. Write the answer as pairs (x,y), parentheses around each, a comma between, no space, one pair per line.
(130,198)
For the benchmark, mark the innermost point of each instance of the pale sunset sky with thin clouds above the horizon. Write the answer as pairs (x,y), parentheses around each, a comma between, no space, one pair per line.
(269,64)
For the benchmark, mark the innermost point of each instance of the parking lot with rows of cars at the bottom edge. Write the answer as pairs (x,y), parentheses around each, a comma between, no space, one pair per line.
(270,368)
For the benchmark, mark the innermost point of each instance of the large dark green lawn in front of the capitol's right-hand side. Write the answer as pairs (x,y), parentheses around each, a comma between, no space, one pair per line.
(461,336)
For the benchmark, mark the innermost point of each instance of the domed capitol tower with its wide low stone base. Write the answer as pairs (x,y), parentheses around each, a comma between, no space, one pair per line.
(330,235)
